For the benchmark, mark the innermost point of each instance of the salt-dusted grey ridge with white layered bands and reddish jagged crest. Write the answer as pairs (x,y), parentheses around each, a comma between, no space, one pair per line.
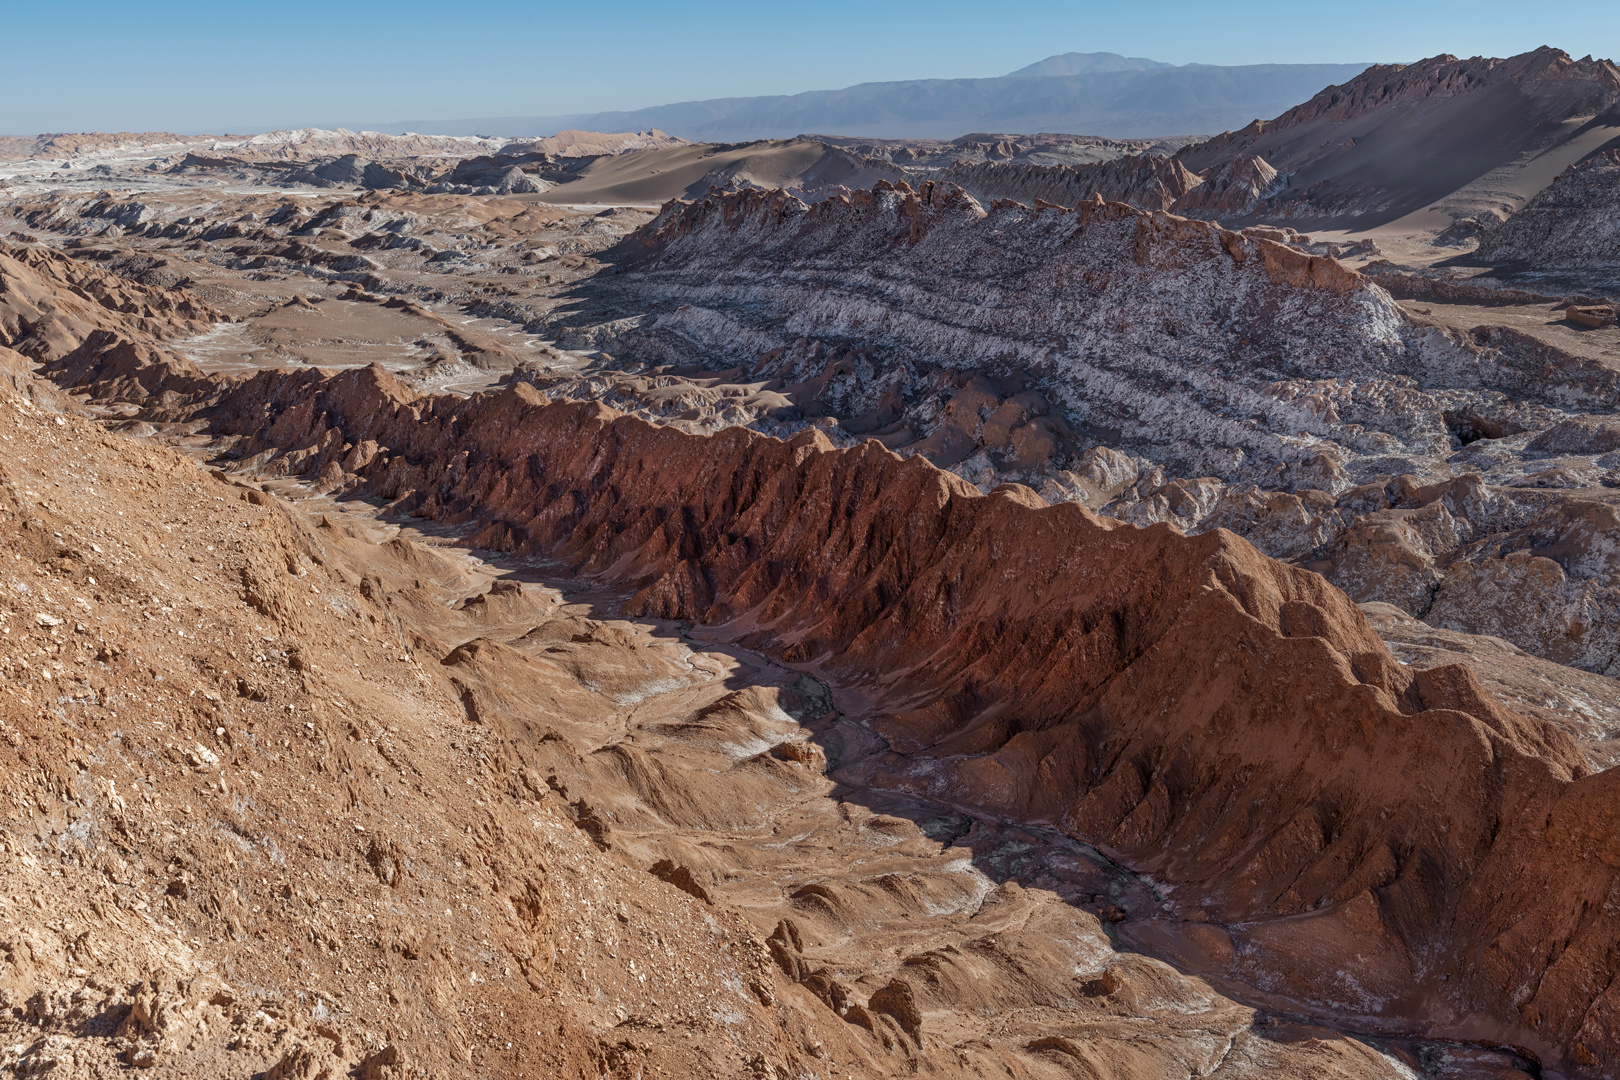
(1206,308)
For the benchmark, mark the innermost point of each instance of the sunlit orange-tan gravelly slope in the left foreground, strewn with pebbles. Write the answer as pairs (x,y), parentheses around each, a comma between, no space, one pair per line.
(252,830)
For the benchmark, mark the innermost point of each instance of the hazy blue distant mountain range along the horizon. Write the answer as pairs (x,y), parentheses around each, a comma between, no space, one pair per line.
(1098,93)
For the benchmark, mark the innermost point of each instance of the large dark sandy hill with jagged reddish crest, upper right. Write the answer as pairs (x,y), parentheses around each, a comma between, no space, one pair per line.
(1467,137)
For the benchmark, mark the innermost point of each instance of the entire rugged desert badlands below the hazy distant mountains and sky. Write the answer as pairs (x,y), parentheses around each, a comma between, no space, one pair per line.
(1015,606)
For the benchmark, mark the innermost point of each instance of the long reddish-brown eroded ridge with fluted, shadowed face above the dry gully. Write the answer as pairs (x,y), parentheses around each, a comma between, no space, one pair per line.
(1125,686)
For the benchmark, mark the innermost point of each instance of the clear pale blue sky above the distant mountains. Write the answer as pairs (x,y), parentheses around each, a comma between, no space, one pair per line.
(236,67)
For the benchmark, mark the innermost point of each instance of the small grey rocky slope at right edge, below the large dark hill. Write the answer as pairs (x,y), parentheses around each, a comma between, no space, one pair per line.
(1571,224)
